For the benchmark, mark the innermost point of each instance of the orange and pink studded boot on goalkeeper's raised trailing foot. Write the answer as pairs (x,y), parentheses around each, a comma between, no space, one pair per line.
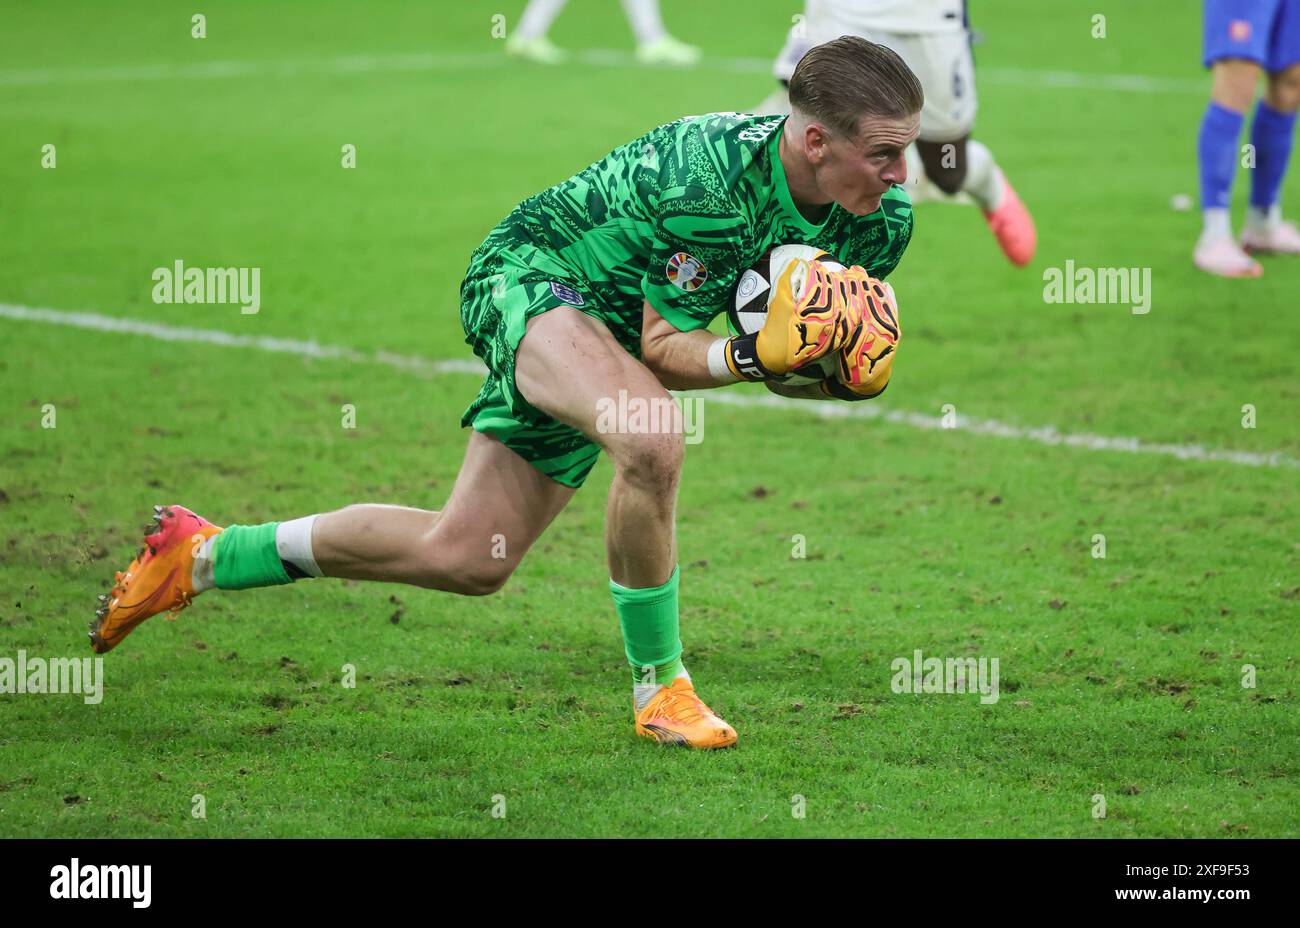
(159,580)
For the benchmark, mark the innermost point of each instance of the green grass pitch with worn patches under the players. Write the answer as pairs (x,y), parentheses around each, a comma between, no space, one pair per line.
(1120,677)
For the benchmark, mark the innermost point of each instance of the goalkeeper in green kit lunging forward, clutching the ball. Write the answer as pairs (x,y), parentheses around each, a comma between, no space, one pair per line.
(603,284)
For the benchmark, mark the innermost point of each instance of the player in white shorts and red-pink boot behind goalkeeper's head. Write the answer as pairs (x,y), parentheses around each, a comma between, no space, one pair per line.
(934,38)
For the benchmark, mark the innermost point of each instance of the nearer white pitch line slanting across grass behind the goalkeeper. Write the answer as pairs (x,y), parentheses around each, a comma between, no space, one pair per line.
(426,367)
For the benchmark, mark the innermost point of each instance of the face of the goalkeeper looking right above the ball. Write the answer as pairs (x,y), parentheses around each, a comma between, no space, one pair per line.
(856,174)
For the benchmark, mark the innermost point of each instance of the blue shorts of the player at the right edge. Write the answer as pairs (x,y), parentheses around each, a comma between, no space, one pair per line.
(1266,32)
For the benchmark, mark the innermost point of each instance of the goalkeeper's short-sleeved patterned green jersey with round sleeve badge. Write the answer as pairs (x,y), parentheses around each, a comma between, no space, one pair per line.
(674,219)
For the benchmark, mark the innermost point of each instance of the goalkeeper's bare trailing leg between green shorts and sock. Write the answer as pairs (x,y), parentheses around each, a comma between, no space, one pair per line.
(500,506)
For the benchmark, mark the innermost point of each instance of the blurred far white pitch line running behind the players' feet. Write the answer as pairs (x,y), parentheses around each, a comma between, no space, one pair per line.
(593,58)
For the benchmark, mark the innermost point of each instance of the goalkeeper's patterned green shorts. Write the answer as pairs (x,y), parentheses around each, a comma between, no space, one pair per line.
(502,290)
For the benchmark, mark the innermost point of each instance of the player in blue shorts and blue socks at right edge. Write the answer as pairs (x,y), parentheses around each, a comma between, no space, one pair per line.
(1243,38)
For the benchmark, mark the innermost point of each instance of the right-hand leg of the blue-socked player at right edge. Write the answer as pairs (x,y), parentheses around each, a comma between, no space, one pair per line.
(1272,135)
